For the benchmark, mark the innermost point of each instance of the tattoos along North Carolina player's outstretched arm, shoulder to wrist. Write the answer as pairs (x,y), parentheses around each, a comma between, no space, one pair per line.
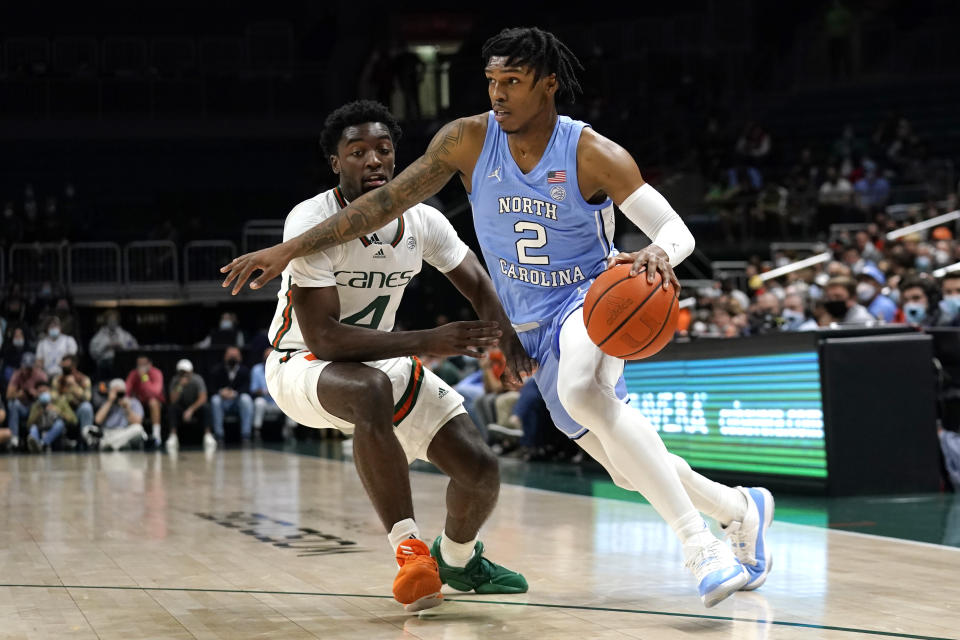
(422,179)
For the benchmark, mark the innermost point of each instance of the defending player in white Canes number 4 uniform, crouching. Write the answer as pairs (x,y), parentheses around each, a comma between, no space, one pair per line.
(336,363)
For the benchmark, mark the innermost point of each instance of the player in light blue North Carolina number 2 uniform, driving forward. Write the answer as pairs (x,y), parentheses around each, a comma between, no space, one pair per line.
(543,188)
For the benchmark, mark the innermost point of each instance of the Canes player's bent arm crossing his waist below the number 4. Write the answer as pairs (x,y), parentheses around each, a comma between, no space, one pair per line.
(318,312)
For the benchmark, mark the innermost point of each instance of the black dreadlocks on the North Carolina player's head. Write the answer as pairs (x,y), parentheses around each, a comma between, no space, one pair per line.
(541,51)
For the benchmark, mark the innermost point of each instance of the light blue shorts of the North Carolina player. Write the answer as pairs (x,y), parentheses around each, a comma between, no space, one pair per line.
(543,345)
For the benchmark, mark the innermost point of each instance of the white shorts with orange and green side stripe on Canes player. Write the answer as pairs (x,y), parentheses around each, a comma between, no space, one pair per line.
(422,401)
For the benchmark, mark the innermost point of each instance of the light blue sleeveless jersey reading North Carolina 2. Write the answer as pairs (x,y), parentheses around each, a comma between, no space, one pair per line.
(540,239)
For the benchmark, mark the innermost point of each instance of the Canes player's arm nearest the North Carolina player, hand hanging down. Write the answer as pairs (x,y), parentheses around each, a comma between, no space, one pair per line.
(471,279)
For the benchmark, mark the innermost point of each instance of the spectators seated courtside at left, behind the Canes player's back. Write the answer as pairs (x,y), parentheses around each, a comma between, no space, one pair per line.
(48,400)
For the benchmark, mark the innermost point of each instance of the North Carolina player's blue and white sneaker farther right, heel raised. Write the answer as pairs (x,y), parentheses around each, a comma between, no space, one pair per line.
(748,537)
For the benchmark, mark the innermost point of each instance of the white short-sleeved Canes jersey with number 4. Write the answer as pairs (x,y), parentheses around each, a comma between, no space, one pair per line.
(370,273)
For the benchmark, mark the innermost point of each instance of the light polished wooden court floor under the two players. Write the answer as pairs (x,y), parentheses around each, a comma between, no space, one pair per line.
(257,543)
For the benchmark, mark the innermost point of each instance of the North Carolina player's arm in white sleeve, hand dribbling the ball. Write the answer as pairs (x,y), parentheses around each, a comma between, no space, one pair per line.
(607,168)
